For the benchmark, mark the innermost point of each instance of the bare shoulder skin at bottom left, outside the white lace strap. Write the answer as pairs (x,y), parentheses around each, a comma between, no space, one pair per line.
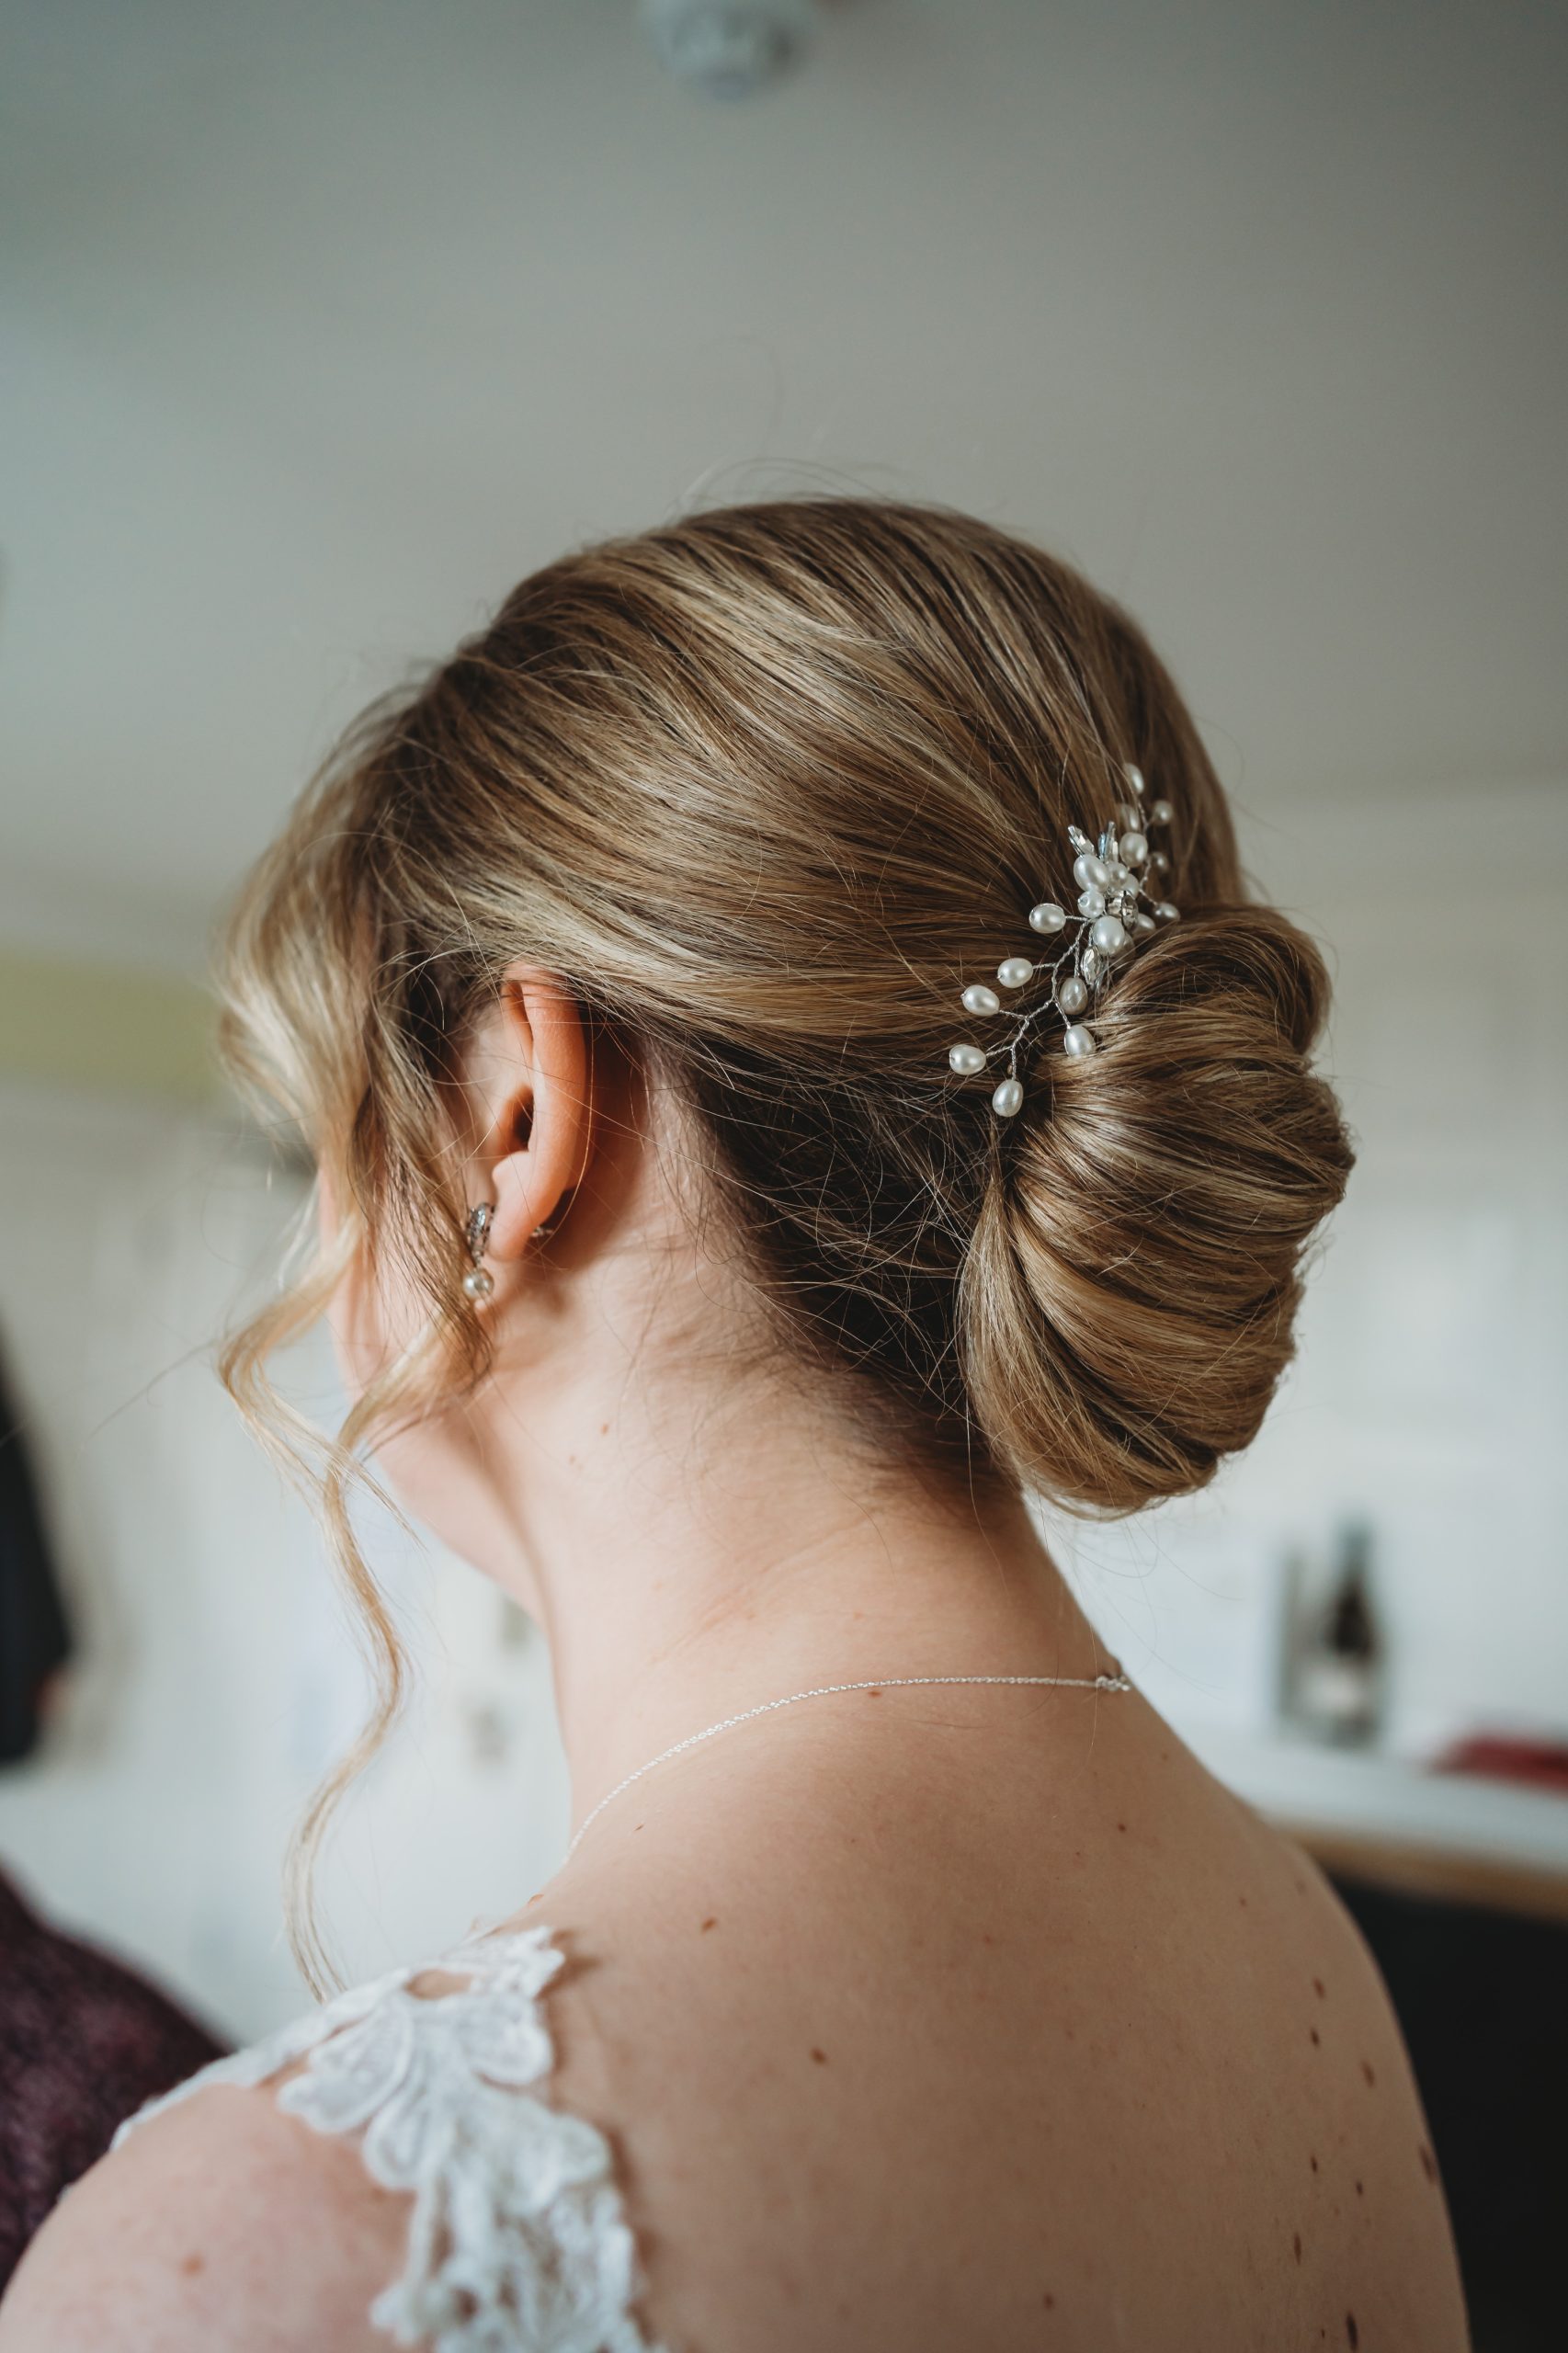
(220,2227)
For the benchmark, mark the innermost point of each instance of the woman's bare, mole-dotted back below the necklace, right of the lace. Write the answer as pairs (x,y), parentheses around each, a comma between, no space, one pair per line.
(1018,2034)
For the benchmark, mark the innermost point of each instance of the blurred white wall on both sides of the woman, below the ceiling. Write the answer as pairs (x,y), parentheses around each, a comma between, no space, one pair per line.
(218,1677)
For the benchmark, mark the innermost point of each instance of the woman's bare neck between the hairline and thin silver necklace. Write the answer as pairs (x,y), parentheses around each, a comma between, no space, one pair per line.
(700,1549)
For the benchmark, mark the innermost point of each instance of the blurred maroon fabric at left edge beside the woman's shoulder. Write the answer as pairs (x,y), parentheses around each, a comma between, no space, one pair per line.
(84,2041)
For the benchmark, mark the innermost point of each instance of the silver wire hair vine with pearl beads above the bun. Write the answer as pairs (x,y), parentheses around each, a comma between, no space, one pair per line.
(1117,909)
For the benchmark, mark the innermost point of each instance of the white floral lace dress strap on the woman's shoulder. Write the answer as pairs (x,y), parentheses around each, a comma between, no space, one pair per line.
(517,2239)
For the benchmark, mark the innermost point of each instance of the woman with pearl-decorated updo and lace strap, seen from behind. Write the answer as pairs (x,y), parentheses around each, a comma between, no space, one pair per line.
(792,1069)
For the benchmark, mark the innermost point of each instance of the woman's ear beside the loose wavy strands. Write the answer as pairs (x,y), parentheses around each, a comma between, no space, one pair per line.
(533,1079)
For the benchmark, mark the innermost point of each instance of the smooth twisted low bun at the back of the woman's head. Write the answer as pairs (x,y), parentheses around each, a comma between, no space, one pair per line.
(1129,1300)
